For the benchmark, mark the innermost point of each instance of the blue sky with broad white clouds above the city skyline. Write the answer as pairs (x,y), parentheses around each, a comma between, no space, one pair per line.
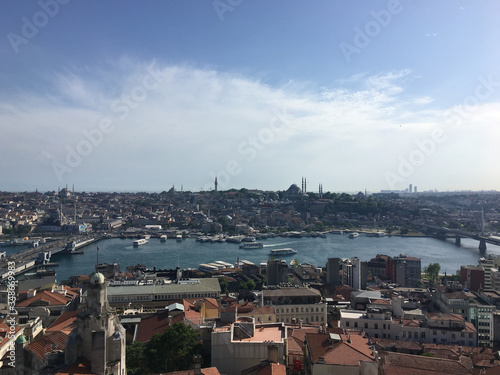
(352,95)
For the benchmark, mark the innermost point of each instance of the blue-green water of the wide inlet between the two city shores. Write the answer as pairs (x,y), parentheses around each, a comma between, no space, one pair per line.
(189,253)
